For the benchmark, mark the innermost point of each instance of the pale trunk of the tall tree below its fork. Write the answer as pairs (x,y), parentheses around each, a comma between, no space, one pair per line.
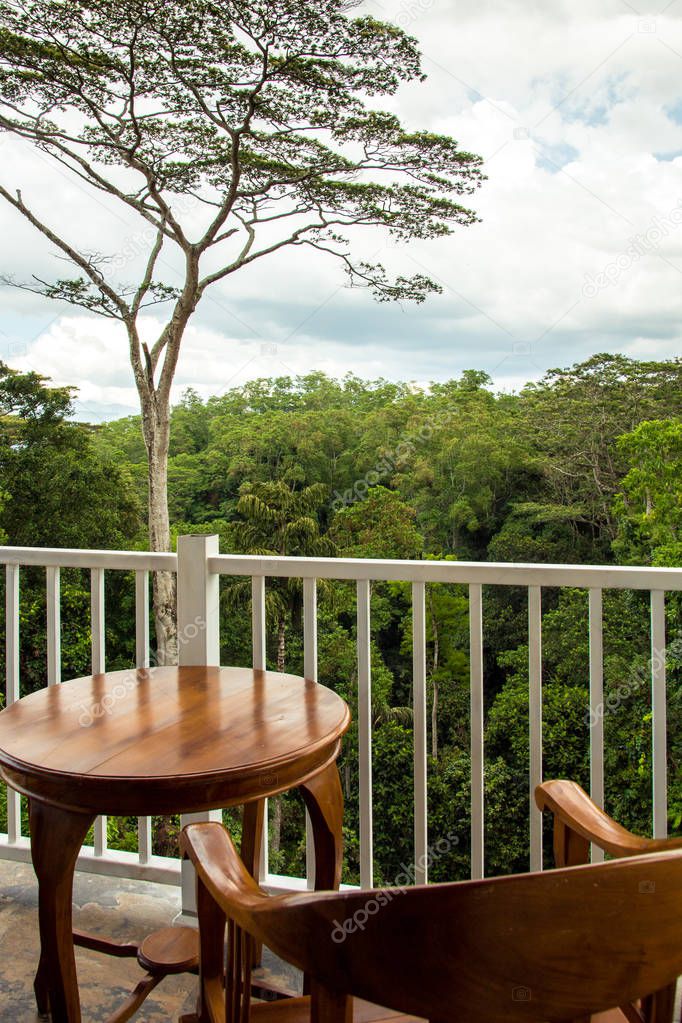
(157,435)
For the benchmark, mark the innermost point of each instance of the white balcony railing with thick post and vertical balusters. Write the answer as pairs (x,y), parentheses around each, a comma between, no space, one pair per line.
(199,567)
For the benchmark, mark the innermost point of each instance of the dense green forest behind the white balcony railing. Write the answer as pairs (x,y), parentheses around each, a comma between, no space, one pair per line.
(583,467)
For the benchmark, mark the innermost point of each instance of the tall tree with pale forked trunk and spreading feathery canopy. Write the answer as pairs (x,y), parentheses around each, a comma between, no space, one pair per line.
(232,130)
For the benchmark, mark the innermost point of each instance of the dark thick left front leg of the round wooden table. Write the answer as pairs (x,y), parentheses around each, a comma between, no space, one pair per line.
(57,837)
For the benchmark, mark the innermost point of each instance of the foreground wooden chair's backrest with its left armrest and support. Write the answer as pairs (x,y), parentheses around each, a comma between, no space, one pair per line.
(558,946)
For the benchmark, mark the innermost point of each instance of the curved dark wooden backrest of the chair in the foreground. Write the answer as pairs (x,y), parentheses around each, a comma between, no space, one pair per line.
(558,946)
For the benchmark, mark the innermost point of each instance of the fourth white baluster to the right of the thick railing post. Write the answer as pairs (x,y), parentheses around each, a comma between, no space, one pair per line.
(420,677)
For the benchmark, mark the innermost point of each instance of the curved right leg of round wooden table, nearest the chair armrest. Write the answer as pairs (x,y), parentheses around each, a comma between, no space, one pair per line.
(325,799)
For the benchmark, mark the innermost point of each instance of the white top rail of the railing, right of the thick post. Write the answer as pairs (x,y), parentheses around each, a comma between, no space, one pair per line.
(490,573)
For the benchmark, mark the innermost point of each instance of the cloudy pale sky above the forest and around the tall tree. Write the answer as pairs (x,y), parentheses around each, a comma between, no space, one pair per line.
(577,109)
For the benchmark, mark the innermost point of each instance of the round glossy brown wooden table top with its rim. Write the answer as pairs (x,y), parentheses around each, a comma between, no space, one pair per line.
(169,739)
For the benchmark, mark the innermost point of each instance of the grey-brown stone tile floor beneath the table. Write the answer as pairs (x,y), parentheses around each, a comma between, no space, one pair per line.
(113,908)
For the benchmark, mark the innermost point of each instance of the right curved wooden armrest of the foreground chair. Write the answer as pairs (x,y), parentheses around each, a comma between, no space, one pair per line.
(574,810)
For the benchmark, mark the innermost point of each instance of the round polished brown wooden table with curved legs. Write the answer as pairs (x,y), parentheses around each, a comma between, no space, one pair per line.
(163,741)
